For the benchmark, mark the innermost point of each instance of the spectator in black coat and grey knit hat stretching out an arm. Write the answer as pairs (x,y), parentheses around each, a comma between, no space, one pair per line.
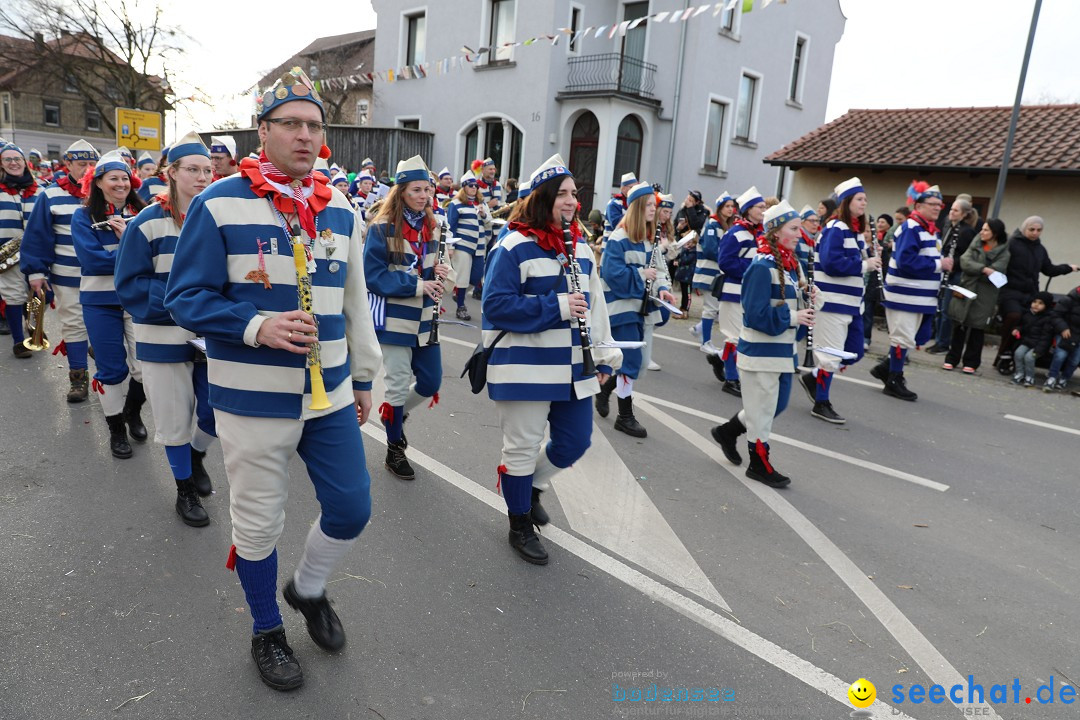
(1028,259)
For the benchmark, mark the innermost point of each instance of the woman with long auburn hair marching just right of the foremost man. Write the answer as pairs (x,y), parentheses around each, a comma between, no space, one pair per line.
(404,282)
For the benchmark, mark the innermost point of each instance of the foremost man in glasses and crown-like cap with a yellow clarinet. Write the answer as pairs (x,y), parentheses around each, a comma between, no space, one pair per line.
(236,283)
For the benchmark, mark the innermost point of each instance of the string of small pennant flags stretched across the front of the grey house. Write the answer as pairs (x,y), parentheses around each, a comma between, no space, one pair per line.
(469,57)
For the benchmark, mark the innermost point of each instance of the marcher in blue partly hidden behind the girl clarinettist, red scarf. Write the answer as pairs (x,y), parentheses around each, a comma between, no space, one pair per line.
(735,254)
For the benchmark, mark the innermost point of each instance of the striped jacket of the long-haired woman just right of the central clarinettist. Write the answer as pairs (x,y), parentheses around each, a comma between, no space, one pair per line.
(624,278)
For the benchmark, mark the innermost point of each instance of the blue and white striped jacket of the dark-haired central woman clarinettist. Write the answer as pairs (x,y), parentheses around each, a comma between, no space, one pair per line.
(541,357)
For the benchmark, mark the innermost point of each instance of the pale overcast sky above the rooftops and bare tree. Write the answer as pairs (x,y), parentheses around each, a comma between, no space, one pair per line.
(894,55)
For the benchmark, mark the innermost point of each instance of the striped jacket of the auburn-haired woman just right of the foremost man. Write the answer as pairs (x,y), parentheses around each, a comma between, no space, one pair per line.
(401,310)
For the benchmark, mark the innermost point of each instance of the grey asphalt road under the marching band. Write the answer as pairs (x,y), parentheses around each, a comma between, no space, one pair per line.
(853,572)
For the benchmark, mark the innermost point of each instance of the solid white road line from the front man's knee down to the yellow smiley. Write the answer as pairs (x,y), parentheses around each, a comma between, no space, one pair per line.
(795,667)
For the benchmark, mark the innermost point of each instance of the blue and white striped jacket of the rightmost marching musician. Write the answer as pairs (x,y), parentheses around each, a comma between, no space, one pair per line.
(915,270)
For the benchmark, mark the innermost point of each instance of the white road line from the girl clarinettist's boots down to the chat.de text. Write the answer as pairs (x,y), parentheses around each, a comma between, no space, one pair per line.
(917,646)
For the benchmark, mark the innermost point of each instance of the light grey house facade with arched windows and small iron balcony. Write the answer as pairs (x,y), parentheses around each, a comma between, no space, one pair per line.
(690,105)
